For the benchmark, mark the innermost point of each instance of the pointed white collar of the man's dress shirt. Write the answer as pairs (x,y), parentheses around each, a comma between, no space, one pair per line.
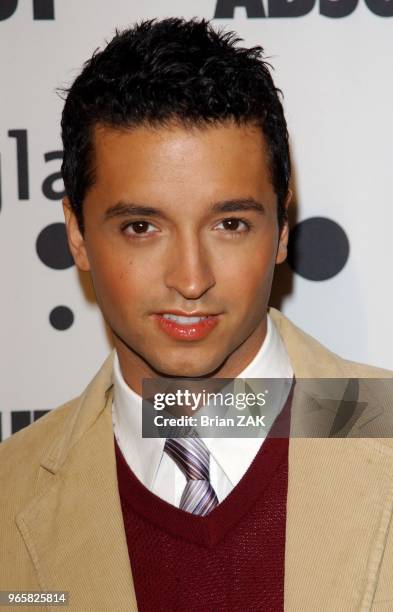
(234,455)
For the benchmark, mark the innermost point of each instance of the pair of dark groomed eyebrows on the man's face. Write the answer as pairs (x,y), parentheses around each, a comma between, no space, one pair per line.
(125,209)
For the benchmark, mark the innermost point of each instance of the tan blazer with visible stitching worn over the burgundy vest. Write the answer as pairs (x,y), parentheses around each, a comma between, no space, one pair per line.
(61,525)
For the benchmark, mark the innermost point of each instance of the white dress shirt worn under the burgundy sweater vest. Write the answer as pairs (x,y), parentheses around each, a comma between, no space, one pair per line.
(229,457)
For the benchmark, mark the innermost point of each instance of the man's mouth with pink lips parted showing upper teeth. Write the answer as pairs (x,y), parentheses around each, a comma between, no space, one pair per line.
(183,326)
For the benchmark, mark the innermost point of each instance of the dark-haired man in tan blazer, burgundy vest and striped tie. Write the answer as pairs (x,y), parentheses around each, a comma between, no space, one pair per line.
(176,168)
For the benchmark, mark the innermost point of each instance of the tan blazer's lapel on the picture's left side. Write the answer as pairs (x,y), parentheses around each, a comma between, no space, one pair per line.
(74,528)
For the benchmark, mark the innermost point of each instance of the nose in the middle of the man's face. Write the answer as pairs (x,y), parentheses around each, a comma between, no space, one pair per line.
(189,270)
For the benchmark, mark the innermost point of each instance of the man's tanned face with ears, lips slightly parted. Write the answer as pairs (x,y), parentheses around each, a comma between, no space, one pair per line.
(181,222)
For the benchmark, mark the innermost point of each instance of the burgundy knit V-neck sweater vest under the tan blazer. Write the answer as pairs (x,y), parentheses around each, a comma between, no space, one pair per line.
(230,560)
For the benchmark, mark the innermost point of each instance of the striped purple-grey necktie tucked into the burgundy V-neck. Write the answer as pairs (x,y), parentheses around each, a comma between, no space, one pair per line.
(193,457)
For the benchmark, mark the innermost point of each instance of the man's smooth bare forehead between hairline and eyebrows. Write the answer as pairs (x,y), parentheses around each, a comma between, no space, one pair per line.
(147,163)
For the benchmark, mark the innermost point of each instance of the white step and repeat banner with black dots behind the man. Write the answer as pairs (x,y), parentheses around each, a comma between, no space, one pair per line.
(333,60)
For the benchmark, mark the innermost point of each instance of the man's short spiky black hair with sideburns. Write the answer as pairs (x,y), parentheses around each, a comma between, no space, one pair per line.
(160,71)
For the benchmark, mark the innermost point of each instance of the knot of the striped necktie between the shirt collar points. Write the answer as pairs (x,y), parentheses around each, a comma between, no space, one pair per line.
(191,455)
